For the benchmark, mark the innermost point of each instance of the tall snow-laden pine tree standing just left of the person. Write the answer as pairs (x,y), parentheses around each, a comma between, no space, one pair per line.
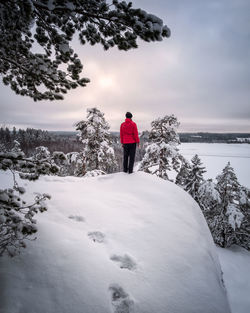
(98,154)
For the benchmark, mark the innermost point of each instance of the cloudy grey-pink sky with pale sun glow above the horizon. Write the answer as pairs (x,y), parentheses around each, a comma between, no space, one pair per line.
(201,74)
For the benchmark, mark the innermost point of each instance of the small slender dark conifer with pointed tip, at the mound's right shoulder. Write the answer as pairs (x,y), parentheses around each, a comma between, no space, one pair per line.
(195,177)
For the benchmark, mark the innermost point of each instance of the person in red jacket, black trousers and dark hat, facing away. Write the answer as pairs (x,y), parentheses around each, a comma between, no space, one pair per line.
(129,138)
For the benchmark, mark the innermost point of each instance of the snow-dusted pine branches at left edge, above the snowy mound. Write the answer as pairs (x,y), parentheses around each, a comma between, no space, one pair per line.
(16,217)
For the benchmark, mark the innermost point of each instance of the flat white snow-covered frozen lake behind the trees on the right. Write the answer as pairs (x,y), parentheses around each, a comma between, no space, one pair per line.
(216,155)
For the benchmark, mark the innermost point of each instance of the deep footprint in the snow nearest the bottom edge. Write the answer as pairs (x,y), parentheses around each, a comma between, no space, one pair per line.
(121,301)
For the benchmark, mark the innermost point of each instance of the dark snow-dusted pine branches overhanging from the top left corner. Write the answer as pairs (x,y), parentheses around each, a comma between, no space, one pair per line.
(51,25)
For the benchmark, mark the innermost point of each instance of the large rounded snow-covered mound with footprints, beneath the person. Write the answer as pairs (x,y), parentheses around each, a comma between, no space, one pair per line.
(115,244)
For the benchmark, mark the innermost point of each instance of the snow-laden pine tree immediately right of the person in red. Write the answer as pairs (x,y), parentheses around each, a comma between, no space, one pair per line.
(162,154)
